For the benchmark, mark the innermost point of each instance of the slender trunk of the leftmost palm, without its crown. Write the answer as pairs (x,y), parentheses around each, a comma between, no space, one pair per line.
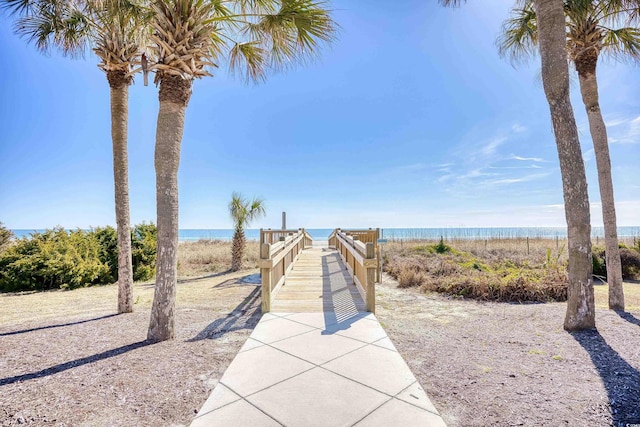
(119,85)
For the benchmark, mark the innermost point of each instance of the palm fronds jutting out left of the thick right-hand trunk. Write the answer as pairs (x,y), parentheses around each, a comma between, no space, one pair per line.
(519,37)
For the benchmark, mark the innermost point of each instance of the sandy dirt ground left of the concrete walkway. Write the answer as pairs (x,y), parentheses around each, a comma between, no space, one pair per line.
(89,367)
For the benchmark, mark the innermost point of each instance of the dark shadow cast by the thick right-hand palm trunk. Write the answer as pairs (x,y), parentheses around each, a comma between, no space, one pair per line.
(621,380)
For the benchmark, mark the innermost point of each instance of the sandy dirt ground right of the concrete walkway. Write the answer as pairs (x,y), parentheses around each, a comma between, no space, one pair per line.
(513,364)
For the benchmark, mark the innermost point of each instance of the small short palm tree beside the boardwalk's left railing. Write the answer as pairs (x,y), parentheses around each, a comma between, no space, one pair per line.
(243,212)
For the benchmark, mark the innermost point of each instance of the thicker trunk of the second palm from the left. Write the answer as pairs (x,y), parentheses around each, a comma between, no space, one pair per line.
(174,97)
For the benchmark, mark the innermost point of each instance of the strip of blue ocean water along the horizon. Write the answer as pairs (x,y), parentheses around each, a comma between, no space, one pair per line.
(191,235)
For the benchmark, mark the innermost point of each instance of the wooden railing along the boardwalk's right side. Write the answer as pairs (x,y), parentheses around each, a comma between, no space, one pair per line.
(360,259)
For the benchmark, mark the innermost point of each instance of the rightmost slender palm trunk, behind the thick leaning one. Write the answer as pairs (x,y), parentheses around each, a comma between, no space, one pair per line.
(586,67)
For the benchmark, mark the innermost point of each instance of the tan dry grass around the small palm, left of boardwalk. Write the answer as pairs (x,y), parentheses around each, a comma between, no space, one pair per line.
(212,256)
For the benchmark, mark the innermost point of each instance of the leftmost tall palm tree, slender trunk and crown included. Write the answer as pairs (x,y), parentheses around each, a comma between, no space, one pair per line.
(114,29)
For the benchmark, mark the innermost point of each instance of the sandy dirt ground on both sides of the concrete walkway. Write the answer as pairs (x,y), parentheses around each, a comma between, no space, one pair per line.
(66,360)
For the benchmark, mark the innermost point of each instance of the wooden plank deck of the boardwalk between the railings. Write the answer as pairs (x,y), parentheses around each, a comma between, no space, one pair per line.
(318,282)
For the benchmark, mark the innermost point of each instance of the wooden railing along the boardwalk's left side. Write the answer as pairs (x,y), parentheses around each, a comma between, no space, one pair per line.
(277,259)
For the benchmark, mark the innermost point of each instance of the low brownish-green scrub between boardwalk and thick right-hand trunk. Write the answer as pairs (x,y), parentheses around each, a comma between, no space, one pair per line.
(488,276)
